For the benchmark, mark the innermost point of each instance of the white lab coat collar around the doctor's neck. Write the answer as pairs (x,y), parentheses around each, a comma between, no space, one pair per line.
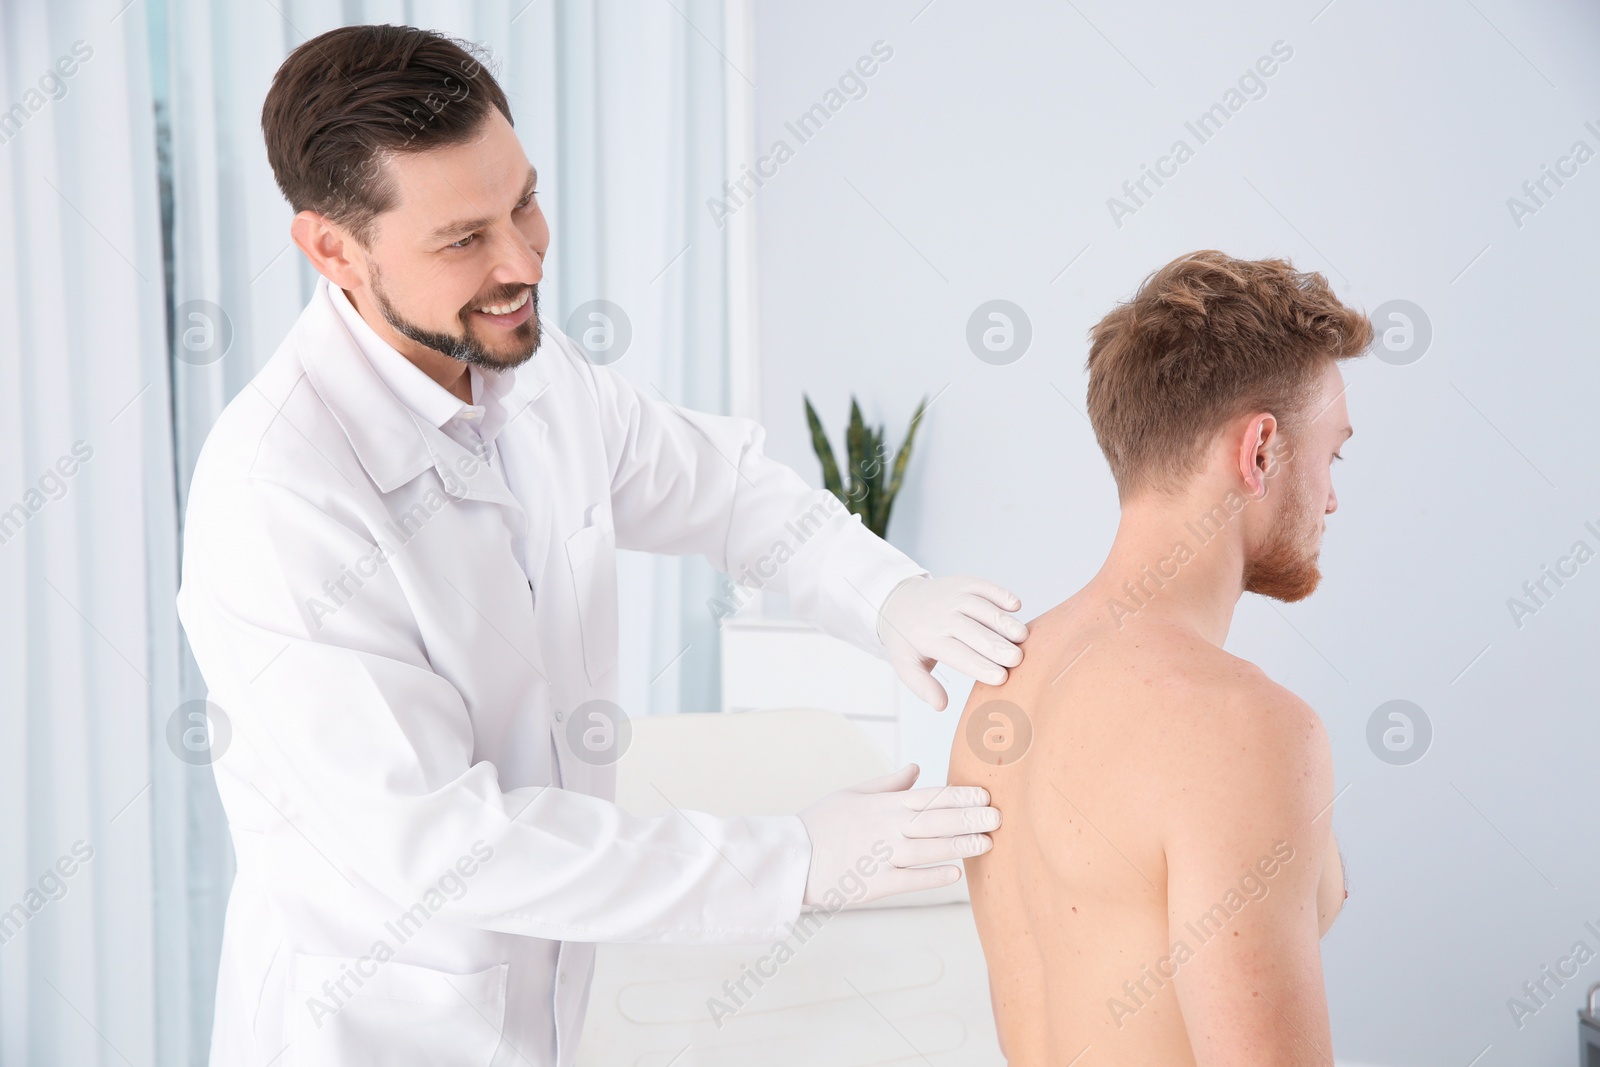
(393,442)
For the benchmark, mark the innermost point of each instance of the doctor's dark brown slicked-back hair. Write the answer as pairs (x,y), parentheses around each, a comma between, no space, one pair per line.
(348,100)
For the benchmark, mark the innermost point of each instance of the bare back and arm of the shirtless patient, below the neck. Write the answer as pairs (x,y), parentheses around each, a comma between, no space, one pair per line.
(1166,842)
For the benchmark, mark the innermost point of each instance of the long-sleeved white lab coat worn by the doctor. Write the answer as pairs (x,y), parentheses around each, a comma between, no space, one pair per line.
(425,865)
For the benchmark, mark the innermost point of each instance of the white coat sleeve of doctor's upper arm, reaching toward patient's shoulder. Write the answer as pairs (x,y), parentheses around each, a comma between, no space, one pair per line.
(687,482)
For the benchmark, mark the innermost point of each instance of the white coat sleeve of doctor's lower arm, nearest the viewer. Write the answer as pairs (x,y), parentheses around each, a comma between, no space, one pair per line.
(343,730)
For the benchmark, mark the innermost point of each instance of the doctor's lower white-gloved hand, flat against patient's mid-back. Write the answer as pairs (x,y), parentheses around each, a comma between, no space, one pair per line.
(868,841)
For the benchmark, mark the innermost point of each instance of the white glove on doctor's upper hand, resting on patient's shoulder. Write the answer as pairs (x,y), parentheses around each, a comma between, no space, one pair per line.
(961,621)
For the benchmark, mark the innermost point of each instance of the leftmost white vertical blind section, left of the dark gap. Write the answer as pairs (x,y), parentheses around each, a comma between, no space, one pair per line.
(89,556)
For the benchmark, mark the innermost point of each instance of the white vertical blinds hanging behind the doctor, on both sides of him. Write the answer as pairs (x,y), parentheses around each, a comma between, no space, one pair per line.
(154,146)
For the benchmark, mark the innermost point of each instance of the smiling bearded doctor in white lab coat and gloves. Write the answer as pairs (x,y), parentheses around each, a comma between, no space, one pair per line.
(399,581)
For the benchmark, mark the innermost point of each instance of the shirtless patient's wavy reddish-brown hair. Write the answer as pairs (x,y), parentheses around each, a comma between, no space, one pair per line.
(1207,340)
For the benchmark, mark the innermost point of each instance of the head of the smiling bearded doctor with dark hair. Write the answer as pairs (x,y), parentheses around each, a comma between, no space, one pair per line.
(412,194)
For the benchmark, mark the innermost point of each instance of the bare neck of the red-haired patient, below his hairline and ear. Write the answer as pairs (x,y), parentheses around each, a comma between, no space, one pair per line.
(1172,562)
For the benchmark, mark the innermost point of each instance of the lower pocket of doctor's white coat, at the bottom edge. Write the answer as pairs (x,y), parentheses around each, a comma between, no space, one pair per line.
(343,1012)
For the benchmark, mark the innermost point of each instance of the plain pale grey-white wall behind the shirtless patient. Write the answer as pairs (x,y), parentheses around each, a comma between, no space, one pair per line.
(978,166)
